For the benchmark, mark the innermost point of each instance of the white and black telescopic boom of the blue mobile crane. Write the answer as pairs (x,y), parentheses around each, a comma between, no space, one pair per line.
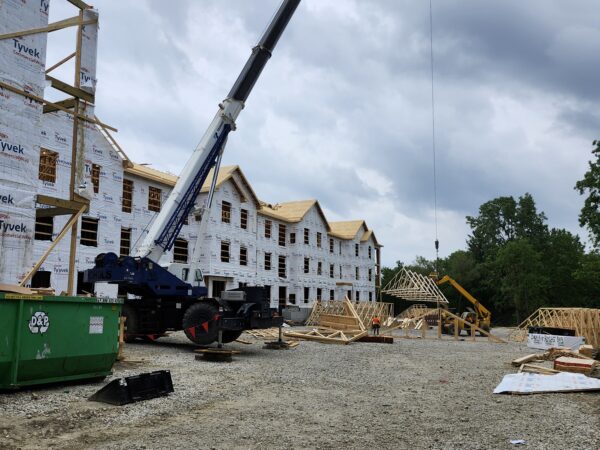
(169,221)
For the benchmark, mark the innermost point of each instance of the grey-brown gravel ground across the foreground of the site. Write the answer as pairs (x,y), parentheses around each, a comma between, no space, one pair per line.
(412,394)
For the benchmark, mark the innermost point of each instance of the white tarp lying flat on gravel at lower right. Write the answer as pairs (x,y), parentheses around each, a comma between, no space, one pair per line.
(533,383)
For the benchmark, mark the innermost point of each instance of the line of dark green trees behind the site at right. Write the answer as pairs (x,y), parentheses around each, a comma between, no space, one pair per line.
(515,263)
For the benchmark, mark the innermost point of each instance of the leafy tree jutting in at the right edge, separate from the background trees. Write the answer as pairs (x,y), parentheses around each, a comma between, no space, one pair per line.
(589,216)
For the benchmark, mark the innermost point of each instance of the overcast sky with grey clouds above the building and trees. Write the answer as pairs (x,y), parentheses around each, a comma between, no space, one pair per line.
(342,112)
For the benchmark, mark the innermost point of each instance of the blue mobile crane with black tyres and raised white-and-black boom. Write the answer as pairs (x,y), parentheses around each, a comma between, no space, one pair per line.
(174,298)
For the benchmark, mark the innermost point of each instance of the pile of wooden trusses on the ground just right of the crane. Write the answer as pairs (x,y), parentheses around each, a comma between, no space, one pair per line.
(340,328)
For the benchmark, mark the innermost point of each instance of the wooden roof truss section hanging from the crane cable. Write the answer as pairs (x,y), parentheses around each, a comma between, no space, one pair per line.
(412,286)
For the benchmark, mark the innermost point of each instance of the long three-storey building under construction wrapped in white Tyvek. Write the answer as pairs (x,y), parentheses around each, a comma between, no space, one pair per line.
(69,192)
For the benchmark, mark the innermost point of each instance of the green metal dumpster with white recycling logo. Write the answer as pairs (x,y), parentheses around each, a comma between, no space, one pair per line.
(45,339)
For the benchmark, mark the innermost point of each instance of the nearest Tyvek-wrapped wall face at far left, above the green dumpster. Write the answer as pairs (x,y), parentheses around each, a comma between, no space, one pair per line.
(22,62)
